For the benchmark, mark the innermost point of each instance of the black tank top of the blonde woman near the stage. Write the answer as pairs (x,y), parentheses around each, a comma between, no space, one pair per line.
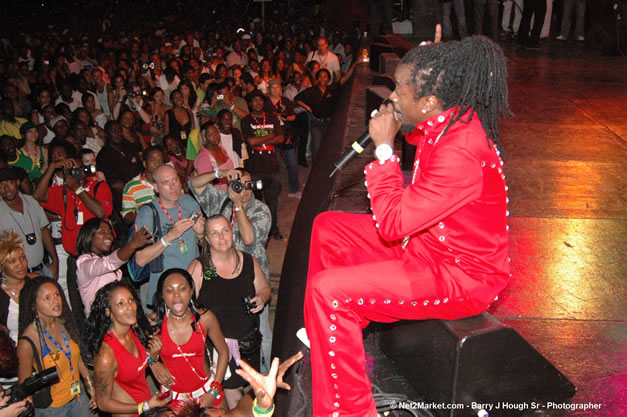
(224,298)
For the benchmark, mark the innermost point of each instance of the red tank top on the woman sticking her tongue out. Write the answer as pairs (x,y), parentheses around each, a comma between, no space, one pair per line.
(179,359)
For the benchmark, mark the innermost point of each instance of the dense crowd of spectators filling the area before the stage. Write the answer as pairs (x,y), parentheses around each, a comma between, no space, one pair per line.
(158,149)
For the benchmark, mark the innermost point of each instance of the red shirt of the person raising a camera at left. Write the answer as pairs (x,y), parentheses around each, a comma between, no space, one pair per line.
(73,211)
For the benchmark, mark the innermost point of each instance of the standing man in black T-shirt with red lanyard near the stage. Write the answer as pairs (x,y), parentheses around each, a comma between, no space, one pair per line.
(262,132)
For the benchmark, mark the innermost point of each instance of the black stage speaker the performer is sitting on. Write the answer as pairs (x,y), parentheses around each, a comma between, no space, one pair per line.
(476,359)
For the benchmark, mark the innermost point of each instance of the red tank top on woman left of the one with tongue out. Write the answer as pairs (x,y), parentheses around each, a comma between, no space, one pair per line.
(131,376)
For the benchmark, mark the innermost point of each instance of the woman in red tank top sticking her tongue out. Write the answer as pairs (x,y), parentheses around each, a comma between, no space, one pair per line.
(183,331)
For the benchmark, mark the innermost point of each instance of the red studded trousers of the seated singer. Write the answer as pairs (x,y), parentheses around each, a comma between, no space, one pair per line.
(355,277)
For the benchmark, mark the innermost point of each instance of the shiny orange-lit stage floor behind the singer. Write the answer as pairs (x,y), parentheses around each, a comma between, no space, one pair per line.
(565,168)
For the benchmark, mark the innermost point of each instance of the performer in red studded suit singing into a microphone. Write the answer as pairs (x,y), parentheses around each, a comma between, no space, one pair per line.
(435,249)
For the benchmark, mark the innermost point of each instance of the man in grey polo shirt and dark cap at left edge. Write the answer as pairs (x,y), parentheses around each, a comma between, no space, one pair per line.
(21,213)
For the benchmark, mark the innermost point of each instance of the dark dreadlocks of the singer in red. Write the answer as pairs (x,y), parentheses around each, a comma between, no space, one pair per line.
(470,75)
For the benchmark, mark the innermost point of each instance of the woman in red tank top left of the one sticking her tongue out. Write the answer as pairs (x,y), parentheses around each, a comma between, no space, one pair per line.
(118,336)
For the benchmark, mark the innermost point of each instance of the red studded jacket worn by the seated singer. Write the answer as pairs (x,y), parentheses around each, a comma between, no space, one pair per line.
(455,210)
